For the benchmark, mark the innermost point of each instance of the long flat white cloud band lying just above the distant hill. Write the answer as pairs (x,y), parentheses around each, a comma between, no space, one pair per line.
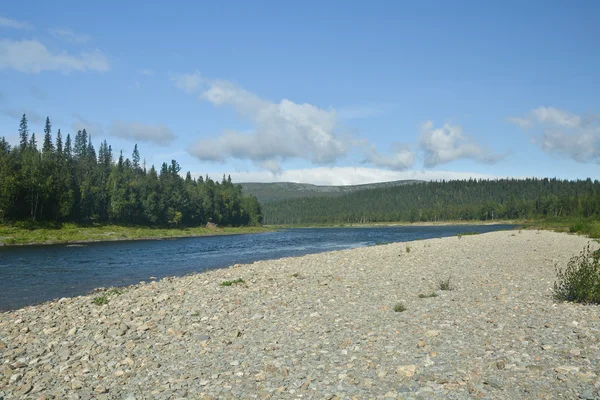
(345,175)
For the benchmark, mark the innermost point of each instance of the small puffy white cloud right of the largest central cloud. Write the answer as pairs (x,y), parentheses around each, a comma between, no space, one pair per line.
(446,144)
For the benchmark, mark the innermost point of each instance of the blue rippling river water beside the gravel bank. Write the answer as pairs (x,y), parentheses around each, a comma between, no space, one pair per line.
(34,274)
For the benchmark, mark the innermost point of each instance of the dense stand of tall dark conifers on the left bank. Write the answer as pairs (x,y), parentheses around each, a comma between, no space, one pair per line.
(68,181)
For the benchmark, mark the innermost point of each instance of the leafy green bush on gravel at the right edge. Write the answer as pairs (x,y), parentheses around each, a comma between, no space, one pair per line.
(580,280)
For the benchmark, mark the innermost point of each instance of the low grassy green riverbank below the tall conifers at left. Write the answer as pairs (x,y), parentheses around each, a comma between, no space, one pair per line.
(72,233)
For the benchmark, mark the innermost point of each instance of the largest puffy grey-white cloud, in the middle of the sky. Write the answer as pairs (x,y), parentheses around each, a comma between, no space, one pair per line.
(282,130)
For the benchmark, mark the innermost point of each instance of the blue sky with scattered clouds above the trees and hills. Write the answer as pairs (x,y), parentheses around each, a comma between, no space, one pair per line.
(316,91)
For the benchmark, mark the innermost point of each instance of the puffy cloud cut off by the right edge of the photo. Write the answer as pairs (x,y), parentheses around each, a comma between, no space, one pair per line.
(564,133)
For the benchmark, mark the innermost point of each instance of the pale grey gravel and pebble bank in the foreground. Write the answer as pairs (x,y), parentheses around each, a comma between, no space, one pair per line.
(323,326)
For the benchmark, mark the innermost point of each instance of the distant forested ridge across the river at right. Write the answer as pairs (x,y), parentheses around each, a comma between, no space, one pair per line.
(483,200)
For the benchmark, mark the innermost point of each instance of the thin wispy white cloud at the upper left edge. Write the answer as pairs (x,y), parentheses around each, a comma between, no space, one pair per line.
(30,56)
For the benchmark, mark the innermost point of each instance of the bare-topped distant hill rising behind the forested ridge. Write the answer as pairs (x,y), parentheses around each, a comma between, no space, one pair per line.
(278,191)
